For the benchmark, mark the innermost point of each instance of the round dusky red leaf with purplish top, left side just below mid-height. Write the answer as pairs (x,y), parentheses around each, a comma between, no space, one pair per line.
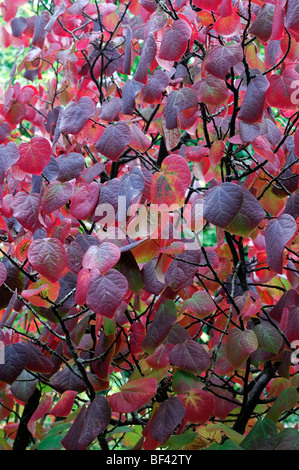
(48,257)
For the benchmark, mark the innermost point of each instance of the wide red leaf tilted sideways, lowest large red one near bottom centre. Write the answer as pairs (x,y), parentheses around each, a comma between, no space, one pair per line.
(133,395)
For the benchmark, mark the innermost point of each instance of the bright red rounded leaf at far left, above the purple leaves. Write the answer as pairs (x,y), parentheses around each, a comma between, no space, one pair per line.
(35,156)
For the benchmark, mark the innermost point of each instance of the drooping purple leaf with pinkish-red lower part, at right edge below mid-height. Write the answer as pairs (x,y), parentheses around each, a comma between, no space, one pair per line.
(277,234)
